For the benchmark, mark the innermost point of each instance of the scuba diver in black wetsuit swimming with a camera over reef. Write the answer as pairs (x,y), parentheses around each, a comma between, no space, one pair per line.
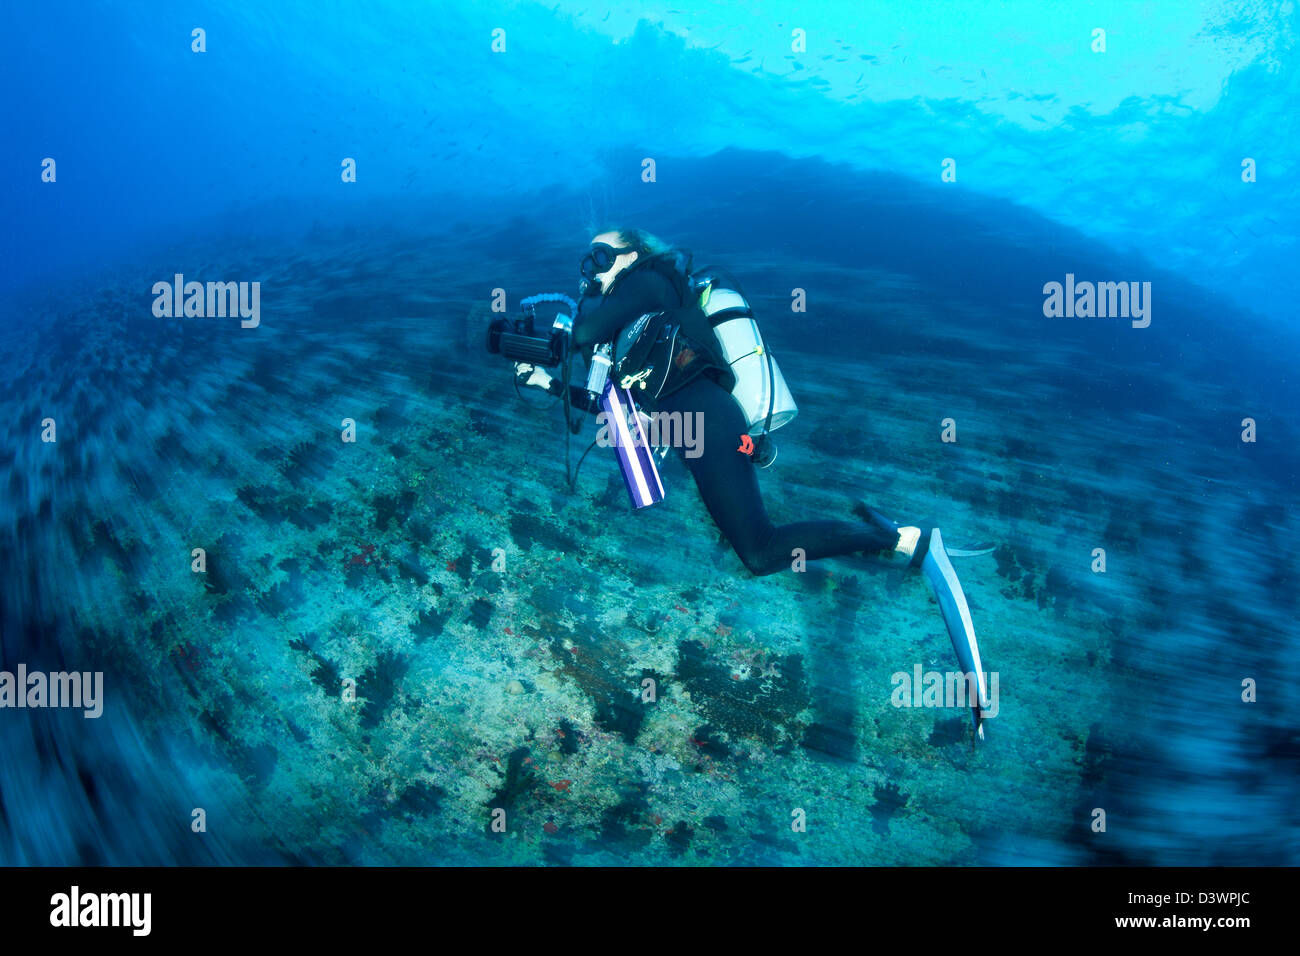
(686,341)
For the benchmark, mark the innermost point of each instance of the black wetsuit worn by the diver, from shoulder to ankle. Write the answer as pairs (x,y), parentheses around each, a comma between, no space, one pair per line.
(701,383)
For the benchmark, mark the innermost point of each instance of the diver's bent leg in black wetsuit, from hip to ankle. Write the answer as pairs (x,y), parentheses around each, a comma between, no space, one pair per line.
(729,485)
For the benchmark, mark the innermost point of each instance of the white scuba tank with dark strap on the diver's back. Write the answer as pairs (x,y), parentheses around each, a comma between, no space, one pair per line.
(761,390)
